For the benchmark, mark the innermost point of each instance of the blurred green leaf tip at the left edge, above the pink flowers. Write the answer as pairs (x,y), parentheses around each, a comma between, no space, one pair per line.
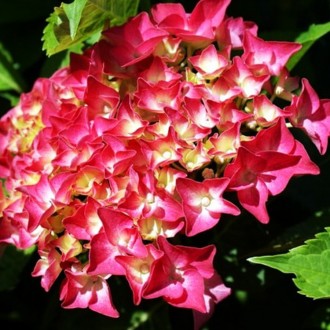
(9,77)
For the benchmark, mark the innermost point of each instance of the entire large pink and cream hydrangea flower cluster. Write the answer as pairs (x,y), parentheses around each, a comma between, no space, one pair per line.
(138,140)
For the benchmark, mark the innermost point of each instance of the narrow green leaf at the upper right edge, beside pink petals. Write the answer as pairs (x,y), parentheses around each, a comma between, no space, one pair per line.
(307,39)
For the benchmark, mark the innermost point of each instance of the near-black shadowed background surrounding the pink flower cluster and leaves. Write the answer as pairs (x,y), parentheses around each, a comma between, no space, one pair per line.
(262,298)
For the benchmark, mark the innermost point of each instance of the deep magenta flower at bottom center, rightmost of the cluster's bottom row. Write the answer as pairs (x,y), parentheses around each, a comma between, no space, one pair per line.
(181,275)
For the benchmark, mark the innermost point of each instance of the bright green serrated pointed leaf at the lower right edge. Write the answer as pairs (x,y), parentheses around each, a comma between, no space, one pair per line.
(310,263)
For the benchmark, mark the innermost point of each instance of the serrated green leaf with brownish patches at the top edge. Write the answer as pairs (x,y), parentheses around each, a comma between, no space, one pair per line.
(78,21)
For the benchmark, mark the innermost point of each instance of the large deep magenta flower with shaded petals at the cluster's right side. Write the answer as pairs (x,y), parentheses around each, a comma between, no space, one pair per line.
(264,166)
